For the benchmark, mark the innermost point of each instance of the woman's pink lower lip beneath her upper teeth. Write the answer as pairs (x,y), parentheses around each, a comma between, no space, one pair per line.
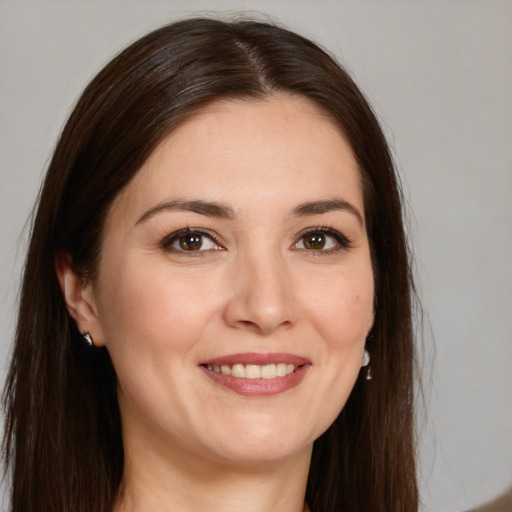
(259,387)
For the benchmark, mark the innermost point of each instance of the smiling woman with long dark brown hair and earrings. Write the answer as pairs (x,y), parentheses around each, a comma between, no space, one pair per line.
(217,253)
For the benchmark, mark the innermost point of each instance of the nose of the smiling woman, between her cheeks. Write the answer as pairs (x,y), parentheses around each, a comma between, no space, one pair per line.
(261,299)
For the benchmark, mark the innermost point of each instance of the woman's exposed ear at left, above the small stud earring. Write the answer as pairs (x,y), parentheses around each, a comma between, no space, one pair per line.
(78,296)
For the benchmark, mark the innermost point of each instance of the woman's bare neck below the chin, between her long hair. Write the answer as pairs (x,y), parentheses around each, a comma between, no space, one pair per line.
(154,482)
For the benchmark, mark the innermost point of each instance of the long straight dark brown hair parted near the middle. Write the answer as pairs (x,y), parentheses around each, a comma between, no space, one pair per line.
(63,437)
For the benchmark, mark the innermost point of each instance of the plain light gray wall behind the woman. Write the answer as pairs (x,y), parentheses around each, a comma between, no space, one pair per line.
(439,74)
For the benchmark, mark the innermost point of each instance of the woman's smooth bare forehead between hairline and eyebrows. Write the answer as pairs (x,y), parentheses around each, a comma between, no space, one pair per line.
(281,149)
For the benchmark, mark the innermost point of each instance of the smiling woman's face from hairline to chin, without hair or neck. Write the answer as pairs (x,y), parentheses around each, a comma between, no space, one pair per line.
(235,288)
